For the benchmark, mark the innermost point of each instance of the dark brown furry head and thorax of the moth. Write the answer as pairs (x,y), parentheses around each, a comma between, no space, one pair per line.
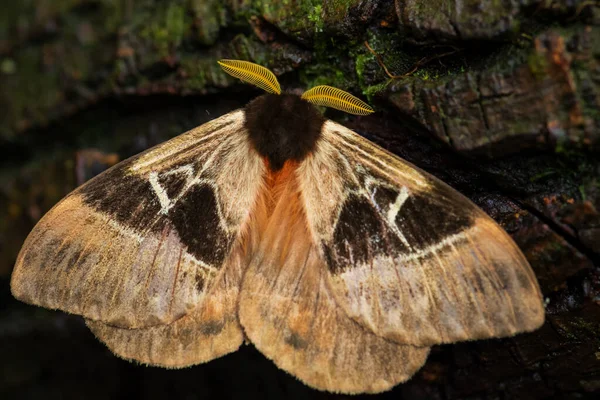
(283,127)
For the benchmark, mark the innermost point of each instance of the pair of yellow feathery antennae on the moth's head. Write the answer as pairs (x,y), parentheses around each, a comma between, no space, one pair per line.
(321,95)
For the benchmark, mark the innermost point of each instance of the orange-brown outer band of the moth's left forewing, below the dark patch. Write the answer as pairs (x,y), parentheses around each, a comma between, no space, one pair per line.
(86,265)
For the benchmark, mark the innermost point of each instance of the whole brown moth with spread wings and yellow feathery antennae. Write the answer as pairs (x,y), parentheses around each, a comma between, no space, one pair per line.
(338,260)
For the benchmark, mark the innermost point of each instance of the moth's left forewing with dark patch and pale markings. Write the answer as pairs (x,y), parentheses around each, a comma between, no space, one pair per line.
(141,244)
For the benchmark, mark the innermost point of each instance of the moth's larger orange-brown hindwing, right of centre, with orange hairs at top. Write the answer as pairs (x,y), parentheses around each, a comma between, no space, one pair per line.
(289,313)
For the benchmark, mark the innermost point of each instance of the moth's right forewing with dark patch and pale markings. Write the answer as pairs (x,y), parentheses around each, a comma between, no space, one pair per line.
(406,255)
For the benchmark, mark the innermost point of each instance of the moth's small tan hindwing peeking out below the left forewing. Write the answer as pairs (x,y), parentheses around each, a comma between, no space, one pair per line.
(210,331)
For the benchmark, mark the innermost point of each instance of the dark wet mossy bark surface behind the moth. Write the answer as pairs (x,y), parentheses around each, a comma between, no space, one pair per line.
(499,99)
